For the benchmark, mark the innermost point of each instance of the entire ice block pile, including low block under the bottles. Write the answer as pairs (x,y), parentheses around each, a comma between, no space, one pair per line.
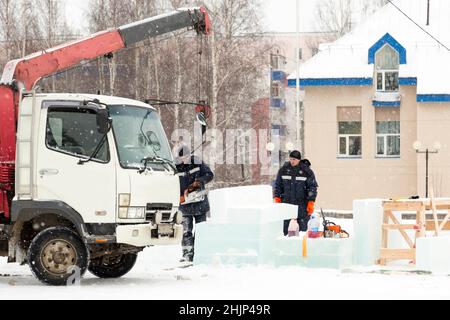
(246,228)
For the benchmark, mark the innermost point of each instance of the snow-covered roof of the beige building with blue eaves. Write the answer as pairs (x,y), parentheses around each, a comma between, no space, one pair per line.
(426,59)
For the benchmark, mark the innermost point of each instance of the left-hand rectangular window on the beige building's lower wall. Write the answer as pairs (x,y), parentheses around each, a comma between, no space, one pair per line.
(349,132)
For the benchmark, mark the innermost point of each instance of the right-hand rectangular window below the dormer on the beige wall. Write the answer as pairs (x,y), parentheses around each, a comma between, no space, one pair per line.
(388,132)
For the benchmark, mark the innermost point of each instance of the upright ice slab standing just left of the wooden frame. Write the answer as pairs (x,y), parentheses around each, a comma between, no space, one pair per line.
(367,220)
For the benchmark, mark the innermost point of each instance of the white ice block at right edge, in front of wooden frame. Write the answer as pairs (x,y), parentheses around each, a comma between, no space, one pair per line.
(433,254)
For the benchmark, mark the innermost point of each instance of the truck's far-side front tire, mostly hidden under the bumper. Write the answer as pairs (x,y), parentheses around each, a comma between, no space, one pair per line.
(114,269)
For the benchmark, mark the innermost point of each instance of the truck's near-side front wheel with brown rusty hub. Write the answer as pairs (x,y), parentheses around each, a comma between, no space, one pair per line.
(57,256)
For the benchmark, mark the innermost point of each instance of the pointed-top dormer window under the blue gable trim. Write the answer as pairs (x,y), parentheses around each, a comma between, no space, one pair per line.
(387,61)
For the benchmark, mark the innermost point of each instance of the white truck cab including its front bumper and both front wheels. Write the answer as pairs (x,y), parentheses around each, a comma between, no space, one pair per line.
(98,168)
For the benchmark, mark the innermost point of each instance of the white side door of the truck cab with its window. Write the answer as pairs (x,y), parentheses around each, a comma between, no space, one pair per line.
(68,133)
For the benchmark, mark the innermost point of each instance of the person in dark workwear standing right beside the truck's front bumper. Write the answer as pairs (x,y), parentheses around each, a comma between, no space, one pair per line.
(194,205)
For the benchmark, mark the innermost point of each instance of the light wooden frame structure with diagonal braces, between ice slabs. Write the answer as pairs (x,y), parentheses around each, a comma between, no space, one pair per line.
(419,207)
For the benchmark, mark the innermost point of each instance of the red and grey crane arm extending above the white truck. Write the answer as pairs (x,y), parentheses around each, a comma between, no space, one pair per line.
(30,69)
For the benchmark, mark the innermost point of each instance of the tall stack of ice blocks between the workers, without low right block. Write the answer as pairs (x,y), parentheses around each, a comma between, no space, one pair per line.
(244,226)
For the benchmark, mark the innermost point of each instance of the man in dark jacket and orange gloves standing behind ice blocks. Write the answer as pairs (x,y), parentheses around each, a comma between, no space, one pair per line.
(296,184)
